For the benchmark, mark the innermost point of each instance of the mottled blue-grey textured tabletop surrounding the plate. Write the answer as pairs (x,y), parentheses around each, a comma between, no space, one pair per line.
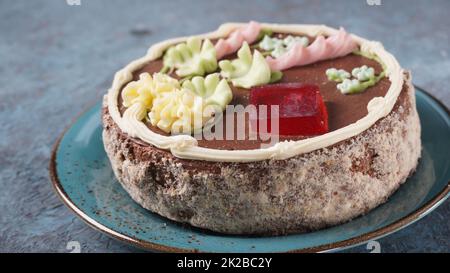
(56,60)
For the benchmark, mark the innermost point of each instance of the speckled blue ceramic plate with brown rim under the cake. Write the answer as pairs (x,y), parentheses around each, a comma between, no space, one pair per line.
(83,178)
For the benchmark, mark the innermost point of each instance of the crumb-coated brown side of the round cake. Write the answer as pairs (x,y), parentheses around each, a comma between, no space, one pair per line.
(306,192)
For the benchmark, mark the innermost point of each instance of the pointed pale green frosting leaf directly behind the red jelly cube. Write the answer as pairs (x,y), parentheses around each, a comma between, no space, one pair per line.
(247,71)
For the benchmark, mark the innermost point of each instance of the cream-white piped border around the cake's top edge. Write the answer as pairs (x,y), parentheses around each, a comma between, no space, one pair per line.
(184,146)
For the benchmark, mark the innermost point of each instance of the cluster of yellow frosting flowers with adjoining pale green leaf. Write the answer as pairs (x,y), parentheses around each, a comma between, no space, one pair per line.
(176,109)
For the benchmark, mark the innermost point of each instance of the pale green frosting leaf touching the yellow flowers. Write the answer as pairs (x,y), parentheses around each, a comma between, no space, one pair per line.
(213,90)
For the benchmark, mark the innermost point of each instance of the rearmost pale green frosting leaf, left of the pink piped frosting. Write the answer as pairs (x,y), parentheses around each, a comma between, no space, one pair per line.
(191,58)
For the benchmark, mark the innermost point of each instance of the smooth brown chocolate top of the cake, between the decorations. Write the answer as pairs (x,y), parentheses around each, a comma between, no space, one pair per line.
(342,109)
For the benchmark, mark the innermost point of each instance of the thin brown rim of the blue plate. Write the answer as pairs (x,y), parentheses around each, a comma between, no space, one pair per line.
(414,216)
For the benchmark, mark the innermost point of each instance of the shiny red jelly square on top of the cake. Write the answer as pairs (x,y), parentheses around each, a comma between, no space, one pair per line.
(302,111)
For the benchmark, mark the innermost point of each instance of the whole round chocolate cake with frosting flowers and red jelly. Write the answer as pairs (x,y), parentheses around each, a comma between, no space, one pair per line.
(342,133)
